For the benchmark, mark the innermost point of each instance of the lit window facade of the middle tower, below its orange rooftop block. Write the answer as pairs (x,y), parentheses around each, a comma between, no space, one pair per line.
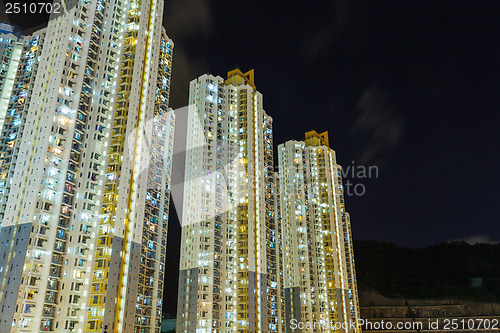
(243,107)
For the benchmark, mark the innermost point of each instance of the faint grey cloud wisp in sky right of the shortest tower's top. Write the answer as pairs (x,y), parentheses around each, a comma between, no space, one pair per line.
(377,119)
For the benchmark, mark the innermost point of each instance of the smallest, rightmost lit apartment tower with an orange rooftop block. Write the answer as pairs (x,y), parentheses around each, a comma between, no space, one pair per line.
(320,280)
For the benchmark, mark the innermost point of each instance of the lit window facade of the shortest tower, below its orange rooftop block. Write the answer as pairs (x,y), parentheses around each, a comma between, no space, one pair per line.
(311,168)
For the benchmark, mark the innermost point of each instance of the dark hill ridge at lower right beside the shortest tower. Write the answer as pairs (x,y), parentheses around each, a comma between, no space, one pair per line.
(454,270)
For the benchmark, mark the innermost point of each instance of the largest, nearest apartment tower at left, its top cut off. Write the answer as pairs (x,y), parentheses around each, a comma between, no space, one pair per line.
(86,152)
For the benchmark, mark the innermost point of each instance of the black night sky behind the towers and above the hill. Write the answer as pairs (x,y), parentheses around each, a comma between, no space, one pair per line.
(410,87)
